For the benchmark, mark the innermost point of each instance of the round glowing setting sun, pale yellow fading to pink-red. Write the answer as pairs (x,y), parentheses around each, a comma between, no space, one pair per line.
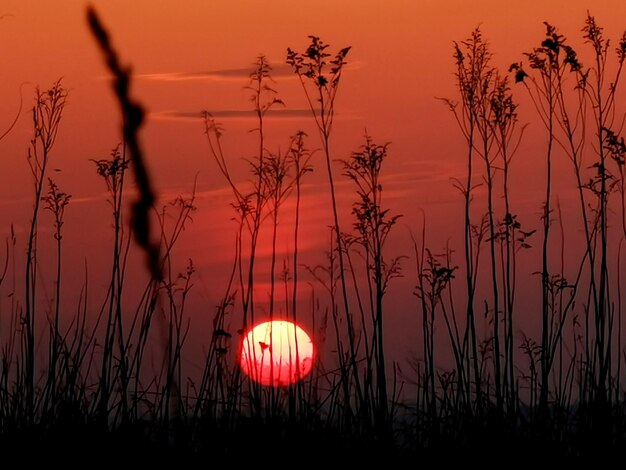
(276,353)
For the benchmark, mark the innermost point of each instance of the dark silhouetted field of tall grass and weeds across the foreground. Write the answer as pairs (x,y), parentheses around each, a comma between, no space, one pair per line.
(88,382)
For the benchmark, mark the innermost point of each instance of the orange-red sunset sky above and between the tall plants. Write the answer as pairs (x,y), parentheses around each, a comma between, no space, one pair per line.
(195,55)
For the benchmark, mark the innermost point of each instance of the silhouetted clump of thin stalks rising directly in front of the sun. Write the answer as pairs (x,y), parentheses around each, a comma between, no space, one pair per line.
(275,175)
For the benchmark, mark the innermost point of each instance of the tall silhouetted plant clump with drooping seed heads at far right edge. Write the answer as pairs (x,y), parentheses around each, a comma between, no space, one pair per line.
(553,64)
